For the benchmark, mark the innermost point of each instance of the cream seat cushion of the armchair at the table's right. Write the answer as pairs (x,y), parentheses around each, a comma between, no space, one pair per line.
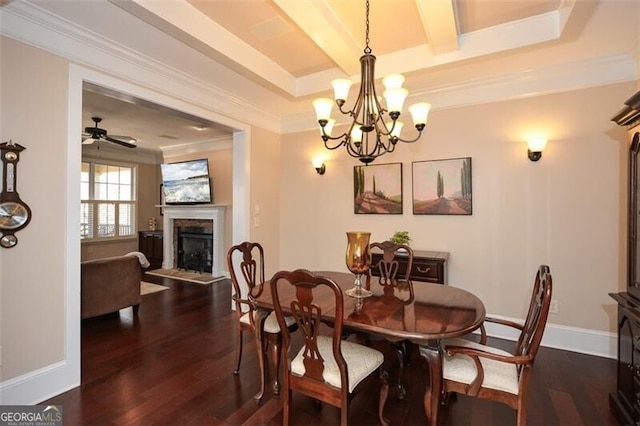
(498,375)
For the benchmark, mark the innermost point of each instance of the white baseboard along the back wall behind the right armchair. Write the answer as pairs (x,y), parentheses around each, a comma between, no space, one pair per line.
(581,340)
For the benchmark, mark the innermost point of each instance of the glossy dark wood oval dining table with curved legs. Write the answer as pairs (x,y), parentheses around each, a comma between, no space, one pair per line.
(435,312)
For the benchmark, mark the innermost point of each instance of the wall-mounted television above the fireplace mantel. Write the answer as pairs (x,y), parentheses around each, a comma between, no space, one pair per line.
(186,182)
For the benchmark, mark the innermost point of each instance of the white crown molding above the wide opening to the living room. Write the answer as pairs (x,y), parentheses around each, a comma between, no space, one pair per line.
(29,24)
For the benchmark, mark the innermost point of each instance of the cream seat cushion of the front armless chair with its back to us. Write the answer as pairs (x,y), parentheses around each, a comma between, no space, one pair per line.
(361,361)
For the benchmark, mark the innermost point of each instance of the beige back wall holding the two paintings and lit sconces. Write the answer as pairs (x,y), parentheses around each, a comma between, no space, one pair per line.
(564,210)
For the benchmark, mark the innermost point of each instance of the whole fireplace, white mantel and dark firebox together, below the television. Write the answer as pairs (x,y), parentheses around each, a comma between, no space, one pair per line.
(204,226)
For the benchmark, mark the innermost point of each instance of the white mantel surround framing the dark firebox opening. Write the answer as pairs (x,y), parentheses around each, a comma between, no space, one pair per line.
(213,212)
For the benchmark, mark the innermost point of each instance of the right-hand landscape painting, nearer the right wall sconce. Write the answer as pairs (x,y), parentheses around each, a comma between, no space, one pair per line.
(442,187)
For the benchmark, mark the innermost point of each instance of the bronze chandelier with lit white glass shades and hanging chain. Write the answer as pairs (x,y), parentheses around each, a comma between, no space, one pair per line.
(369,136)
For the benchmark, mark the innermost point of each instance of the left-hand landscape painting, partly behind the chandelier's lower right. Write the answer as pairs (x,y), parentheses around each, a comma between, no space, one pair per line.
(377,189)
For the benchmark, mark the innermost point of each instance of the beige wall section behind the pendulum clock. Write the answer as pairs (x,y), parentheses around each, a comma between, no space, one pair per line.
(33,113)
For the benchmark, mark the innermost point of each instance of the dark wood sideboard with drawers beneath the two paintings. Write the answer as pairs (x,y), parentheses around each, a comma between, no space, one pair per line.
(428,266)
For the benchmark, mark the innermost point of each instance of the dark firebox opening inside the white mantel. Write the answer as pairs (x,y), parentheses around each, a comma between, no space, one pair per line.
(194,248)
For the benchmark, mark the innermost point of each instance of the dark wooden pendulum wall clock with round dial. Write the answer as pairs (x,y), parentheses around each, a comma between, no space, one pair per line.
(15,214)
